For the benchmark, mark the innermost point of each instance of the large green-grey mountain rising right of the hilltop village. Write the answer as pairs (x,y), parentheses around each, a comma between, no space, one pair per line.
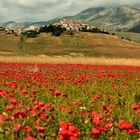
(111,18)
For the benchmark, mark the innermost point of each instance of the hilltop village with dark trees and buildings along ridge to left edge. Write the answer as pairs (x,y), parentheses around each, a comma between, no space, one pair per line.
(64,24)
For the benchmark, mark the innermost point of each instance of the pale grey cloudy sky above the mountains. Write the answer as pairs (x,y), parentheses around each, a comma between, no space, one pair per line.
(44,10)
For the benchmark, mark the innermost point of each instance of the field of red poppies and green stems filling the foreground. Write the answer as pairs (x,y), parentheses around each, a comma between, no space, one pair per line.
(69,102)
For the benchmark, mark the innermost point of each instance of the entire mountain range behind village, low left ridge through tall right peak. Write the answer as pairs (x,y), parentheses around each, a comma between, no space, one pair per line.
(122,18)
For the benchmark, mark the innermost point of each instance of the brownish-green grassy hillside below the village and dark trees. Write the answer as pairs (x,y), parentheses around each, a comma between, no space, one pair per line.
(86,44)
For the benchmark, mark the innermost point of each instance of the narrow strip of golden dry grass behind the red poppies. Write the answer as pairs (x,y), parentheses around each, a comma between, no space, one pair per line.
(43,59)
